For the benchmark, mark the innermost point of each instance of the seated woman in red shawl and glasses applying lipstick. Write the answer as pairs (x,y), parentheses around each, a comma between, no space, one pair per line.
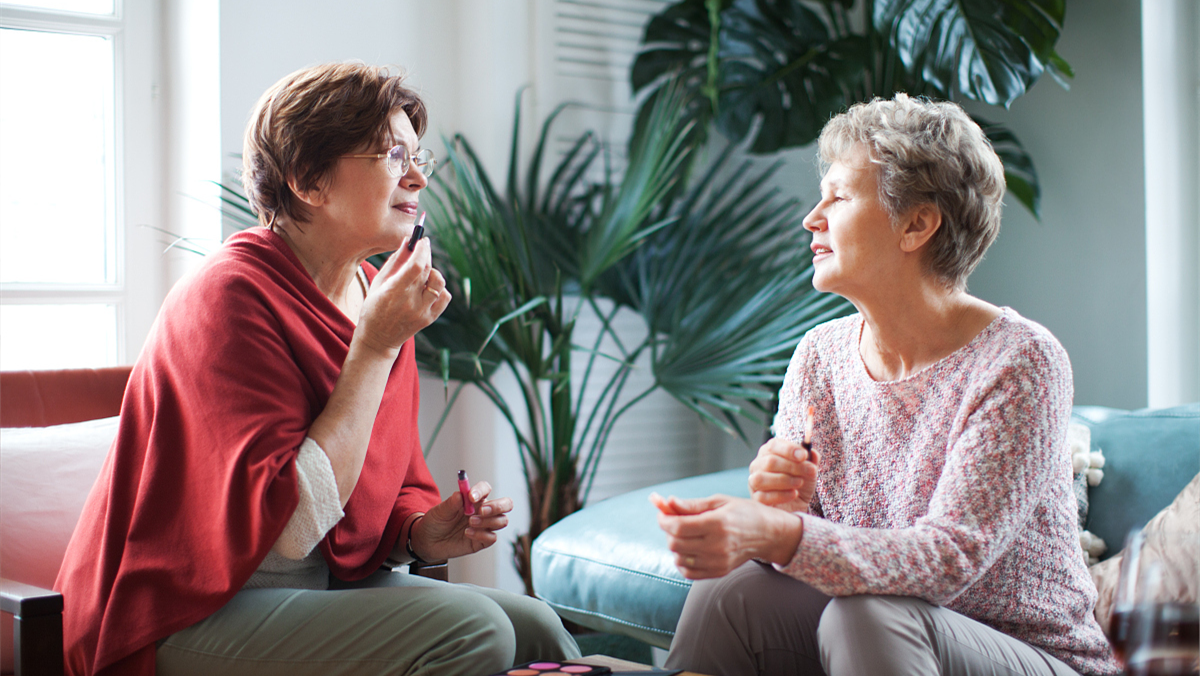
(268,470)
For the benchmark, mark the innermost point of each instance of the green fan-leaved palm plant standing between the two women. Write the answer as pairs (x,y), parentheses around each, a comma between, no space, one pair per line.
(718,270)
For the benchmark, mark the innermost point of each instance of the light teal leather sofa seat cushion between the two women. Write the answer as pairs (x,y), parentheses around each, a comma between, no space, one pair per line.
(608,567)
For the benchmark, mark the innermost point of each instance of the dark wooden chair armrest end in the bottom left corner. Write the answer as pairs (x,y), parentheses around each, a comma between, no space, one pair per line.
(37,627)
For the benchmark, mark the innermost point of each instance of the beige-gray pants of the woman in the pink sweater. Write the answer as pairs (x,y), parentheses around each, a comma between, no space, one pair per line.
(759,621)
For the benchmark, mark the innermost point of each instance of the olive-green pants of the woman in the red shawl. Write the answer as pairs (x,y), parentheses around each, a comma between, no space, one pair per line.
(388,624)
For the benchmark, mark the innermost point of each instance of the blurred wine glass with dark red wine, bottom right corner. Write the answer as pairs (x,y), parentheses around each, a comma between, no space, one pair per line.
(1162,630)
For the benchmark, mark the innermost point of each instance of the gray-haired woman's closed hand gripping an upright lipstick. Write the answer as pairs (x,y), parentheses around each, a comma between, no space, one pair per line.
(784,476)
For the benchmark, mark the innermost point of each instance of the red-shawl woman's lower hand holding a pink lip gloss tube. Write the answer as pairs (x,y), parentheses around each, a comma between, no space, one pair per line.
(446,533)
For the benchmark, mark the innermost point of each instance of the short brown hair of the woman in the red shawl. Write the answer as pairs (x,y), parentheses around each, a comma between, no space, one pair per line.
(304,123)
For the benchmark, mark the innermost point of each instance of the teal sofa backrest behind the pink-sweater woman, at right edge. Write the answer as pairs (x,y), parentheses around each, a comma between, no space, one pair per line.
(1150,456)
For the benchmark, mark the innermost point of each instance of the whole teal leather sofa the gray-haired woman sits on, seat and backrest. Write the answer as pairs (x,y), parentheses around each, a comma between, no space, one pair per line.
(608,567)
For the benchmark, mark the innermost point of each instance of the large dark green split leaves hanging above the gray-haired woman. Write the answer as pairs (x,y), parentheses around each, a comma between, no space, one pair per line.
(775,71)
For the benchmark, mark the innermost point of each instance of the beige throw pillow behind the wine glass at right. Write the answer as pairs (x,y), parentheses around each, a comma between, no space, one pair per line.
(1183,517)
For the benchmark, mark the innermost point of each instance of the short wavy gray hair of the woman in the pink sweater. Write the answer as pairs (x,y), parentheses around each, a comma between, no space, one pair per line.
(928,153)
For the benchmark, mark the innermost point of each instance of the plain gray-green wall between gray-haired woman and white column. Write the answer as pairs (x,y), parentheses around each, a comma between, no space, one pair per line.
(1082,272)
